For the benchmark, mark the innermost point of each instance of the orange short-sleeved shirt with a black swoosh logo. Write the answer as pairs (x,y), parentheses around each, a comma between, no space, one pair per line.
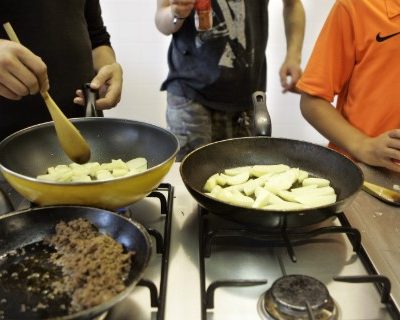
(357,57)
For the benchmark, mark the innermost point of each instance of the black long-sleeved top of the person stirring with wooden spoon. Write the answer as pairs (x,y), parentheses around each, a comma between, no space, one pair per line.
(63,33)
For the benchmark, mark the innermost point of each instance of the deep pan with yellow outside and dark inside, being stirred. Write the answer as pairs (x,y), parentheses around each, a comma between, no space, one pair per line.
(30,151)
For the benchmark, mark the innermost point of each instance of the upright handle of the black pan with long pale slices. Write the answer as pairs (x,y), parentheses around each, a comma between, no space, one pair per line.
(262,120)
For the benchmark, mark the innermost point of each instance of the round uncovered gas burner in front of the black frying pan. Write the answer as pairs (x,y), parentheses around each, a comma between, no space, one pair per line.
(296,297)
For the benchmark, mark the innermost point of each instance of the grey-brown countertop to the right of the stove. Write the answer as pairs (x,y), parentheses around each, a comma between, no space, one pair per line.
(379,224)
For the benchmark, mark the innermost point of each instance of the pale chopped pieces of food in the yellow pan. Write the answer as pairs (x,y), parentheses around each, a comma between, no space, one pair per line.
(94,171)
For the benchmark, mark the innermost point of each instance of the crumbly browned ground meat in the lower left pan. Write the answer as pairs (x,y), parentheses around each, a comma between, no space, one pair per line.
(94,266)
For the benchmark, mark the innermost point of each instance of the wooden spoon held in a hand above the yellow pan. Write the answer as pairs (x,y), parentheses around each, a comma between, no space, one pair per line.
(69,137)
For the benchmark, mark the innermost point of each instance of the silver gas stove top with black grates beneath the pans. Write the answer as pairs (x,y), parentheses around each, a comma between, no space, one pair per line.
(203,267)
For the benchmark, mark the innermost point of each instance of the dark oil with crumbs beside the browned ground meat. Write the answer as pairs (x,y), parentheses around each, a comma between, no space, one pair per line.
(26,284)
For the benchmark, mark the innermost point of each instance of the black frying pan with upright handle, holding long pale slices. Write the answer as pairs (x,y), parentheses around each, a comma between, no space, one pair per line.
(345,176)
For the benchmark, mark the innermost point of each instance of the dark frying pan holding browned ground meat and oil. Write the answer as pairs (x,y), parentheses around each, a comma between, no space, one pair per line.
(26,229)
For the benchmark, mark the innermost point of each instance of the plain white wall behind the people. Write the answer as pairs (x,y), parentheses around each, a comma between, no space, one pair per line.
(142,51)
